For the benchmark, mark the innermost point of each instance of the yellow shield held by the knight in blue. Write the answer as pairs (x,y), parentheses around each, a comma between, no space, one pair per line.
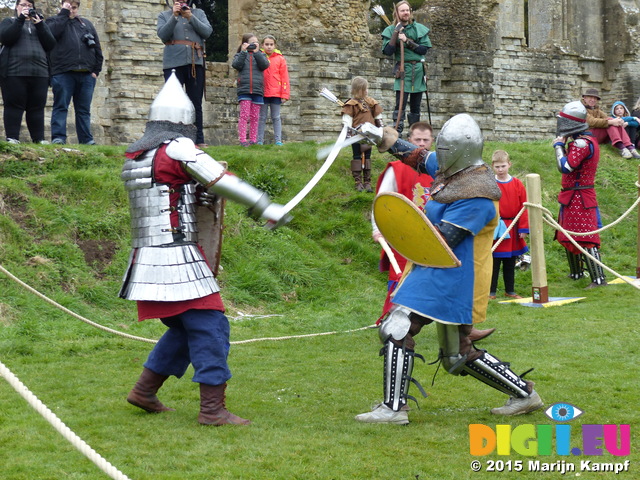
(410,232)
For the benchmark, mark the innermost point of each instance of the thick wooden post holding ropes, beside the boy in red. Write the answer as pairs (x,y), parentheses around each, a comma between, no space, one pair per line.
(539,286)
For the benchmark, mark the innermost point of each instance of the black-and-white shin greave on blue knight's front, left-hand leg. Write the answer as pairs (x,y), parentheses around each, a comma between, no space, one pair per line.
(398,367)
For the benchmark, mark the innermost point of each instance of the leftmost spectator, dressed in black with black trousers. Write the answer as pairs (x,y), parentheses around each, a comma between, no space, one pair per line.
(24,70)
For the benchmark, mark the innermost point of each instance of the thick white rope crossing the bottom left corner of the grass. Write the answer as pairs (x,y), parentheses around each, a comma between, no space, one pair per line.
(65,431)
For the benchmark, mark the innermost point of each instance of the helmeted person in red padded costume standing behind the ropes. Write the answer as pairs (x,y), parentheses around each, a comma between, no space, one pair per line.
(577,155)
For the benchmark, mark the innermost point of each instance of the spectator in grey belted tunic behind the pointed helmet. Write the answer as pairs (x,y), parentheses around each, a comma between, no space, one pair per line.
(183,30)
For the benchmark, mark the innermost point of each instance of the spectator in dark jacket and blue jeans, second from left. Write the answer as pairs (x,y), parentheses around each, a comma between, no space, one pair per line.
(76,62)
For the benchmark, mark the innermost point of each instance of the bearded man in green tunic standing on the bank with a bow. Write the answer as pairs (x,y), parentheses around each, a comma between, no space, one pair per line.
(415,41)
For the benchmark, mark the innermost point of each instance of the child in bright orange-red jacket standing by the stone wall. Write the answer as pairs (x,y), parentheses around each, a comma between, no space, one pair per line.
(276,89)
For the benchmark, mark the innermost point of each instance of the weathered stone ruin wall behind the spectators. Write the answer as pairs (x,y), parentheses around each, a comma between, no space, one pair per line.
(480,64)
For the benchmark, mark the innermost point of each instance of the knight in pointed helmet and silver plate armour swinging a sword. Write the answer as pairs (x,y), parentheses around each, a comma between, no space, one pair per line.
(168,275)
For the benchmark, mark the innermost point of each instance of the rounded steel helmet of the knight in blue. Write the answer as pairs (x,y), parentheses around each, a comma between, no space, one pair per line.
(459,145)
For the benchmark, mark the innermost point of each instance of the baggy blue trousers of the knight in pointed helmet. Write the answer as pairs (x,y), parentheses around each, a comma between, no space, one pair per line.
(199,337)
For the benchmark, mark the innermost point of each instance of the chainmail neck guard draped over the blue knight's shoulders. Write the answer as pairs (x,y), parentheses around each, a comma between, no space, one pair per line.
(472,182)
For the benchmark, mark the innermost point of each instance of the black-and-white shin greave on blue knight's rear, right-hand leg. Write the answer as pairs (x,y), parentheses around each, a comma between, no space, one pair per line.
(488,369)
